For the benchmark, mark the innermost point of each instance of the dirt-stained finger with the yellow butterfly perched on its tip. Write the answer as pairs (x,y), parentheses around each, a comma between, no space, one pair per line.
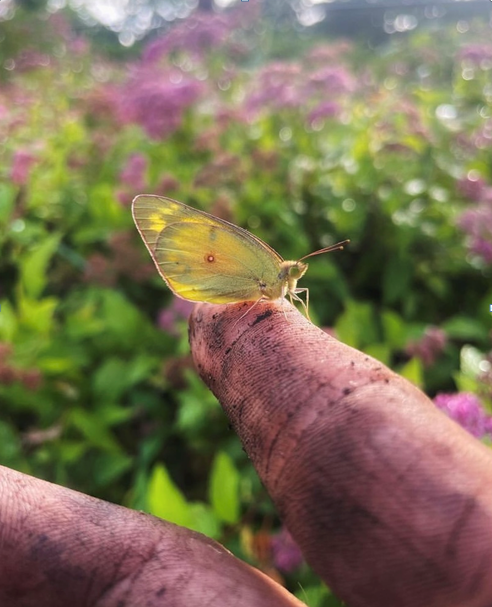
(389,500)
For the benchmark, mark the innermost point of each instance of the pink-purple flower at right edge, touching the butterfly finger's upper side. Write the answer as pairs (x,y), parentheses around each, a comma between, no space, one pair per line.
(467,410)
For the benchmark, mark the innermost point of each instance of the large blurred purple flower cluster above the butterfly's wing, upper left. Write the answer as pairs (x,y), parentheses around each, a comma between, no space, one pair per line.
(156,100)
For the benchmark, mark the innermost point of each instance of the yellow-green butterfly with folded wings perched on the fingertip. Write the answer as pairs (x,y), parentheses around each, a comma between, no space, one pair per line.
(204,258)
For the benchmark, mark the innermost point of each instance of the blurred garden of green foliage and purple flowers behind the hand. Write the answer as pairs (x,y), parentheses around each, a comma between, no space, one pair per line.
(306,122)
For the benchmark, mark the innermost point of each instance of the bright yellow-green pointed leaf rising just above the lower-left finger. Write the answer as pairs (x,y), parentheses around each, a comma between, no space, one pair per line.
(165,499)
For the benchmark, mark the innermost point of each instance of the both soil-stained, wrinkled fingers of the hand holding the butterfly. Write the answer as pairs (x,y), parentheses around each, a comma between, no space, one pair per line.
(389,500)
